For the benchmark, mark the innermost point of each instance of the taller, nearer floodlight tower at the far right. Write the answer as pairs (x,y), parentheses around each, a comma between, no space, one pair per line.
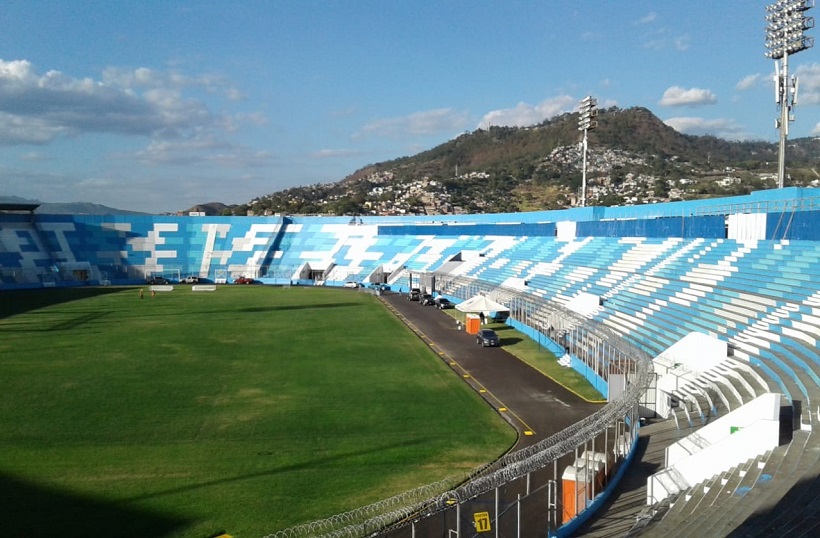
(787,22)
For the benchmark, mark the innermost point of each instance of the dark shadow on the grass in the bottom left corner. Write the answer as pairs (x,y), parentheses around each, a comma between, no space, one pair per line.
(33,510)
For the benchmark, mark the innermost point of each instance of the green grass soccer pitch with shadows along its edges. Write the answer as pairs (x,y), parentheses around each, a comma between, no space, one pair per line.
(245,410)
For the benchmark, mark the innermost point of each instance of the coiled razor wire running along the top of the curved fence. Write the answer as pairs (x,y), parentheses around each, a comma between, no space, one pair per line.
(432,498)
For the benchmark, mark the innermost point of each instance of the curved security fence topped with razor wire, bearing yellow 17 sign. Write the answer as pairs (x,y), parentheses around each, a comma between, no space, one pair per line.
(535,490)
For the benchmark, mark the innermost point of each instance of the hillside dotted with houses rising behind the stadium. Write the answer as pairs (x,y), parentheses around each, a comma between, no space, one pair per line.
(633,158)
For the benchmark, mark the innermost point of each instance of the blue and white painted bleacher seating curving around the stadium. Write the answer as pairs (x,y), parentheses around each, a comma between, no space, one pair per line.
(761,296)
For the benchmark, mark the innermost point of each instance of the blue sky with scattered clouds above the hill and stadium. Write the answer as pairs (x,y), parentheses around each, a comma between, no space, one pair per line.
(157,105)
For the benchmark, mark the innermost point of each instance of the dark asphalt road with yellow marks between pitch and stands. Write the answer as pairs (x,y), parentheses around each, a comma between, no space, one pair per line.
(536,406)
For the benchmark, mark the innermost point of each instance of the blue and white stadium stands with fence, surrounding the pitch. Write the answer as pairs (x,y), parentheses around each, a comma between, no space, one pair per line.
(698,320)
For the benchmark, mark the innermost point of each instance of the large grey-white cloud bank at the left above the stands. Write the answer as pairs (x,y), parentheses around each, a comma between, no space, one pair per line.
(36,108)
